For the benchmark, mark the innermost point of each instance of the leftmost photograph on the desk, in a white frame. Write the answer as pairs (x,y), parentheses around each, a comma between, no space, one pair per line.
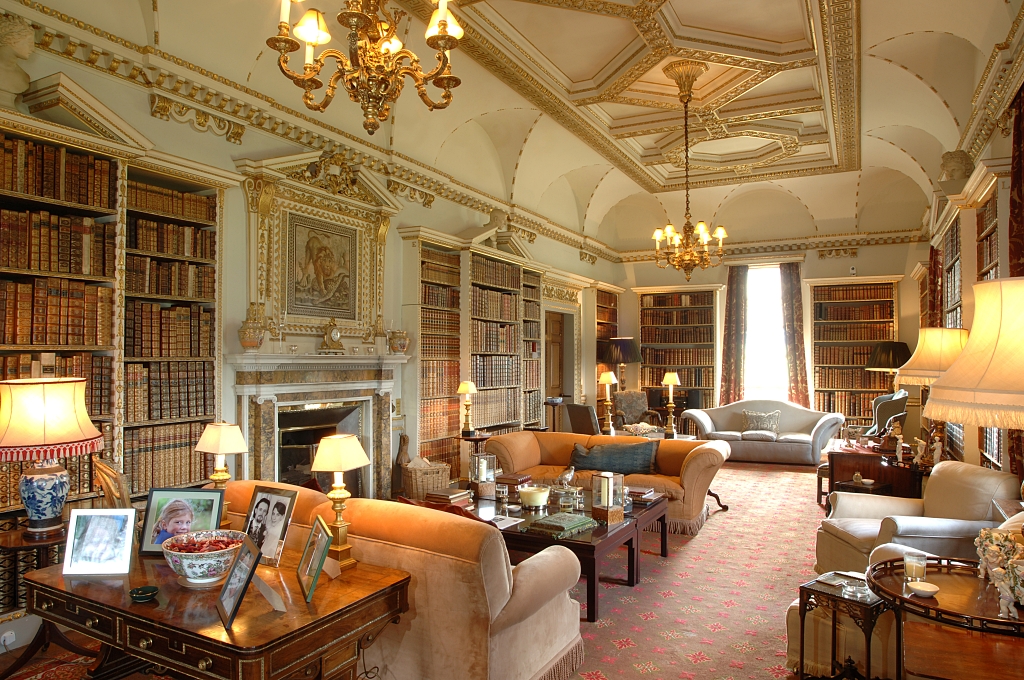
(100,541)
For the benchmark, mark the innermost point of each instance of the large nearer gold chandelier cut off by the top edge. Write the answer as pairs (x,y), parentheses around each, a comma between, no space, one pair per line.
(374,71)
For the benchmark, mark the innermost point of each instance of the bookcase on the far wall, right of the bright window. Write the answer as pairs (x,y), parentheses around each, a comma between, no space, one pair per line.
(848,320)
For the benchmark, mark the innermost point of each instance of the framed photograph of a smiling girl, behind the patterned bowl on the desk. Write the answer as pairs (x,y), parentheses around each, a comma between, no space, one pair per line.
(174,512)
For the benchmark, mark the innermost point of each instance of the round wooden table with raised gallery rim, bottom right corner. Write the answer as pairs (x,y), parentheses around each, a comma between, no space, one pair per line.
(963,635)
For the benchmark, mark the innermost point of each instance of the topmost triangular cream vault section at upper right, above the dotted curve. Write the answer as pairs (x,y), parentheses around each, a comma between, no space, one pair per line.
(950,64)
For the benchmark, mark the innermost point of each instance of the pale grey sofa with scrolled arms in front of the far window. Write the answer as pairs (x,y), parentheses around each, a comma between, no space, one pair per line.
(802,434)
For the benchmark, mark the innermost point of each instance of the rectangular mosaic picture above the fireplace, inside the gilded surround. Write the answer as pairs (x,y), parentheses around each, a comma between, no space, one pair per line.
(322,261)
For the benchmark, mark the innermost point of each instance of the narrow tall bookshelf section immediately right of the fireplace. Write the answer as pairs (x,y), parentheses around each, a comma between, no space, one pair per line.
(440,352)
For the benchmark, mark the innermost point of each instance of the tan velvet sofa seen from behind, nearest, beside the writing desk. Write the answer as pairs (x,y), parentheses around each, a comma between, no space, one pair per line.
(472,614)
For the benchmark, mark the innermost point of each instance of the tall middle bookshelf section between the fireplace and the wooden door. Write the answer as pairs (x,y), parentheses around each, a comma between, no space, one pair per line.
(495,312)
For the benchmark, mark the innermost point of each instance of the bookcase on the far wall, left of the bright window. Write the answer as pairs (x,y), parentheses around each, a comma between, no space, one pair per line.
(679,331)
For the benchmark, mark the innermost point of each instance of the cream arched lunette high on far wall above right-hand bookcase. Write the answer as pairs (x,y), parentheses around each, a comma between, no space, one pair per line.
(889,201)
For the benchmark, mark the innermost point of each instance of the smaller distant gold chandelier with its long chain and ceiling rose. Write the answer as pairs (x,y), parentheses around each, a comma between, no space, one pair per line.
(688,250)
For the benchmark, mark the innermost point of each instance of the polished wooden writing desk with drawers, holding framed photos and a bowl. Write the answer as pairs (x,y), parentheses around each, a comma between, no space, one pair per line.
(182,631)
